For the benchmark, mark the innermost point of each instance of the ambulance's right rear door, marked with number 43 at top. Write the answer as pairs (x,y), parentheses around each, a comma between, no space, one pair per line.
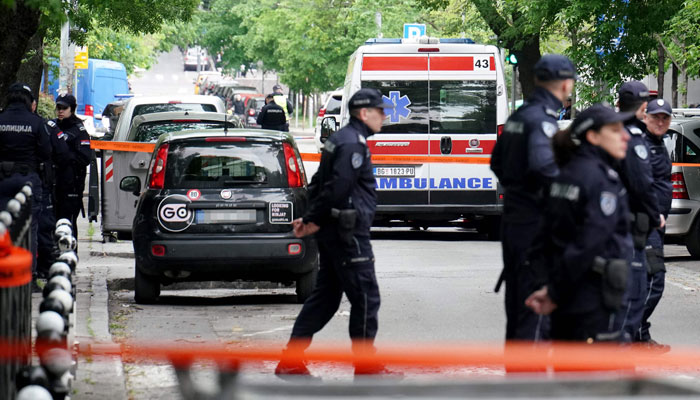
(467,104)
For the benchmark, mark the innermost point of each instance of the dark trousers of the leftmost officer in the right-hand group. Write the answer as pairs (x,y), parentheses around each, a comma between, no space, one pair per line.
(520,281)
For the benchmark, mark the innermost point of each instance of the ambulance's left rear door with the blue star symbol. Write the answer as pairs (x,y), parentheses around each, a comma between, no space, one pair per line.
(402,186)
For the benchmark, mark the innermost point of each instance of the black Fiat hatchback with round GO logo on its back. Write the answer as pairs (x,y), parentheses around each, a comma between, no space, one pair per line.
(218,206)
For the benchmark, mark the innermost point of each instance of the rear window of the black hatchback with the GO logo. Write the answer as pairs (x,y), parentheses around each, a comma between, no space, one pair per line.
(224,165)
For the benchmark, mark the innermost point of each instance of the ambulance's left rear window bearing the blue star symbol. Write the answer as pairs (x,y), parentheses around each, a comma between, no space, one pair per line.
(411,98)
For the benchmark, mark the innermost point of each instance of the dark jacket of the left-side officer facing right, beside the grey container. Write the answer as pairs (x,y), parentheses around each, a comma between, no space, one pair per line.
(78,142)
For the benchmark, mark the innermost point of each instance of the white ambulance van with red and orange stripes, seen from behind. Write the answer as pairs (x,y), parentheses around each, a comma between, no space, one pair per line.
(431,158)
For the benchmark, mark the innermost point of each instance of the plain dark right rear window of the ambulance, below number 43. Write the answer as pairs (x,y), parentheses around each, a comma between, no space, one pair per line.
(463,107)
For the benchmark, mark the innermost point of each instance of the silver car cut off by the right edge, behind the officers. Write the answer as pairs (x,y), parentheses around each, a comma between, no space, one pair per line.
(683,224)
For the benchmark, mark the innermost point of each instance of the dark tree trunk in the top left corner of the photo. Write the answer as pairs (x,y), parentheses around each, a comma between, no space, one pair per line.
(17,26)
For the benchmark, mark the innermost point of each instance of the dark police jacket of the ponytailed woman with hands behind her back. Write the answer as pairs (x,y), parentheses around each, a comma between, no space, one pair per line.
(586,216)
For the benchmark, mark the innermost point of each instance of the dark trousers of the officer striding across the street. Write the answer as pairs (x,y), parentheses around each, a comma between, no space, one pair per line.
(342,270)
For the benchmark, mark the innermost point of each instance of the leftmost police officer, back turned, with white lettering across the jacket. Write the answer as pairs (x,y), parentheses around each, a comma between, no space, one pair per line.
(24,144)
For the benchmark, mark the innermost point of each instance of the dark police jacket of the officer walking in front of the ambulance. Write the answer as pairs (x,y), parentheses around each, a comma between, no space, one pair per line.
(344,180)
